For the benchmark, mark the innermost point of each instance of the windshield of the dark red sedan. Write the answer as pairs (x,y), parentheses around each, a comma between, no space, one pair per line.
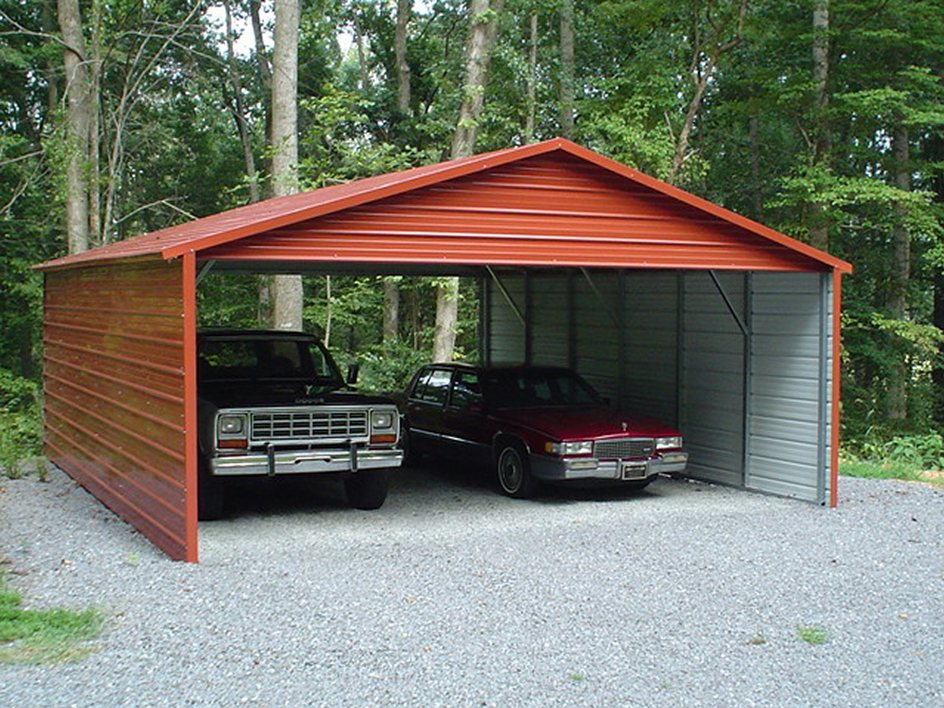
(537,389)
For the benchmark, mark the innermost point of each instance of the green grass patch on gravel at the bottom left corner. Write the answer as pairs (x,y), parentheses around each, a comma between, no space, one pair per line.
(44,636)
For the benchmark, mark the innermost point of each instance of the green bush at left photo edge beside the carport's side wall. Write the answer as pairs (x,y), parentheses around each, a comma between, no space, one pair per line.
(21,425)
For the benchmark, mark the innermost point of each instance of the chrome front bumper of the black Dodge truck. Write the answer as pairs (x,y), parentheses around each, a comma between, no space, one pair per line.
(304,462)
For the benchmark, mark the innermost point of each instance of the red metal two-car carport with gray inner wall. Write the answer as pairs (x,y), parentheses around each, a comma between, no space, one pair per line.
(668,303)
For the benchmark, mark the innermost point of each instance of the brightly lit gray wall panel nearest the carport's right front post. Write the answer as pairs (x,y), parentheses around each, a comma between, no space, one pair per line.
(784,444)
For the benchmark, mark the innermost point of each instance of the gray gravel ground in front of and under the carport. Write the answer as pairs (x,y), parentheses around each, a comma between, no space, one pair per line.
(686,594)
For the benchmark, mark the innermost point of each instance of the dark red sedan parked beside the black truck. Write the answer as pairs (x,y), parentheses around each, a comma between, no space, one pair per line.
(533,424)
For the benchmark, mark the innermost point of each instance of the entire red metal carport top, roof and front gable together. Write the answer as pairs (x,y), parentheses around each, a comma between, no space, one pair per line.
(513,192)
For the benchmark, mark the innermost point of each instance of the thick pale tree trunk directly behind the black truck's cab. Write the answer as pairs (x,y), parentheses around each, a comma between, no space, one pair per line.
(287,293)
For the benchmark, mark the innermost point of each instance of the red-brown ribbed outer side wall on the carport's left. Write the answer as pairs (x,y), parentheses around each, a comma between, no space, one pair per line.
(113,339)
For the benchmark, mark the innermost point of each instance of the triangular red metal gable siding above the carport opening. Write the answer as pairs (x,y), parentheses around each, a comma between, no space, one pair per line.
(546,210)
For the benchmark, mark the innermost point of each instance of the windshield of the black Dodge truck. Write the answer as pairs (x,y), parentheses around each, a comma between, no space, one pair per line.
(240,359)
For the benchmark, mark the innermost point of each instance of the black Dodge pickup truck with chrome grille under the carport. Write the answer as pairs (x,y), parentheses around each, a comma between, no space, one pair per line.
(274,403)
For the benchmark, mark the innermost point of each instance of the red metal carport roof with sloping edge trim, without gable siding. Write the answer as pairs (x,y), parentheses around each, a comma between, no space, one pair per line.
(220,231)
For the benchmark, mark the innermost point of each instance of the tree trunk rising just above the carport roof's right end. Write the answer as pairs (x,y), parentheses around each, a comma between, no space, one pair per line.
(819,228)
